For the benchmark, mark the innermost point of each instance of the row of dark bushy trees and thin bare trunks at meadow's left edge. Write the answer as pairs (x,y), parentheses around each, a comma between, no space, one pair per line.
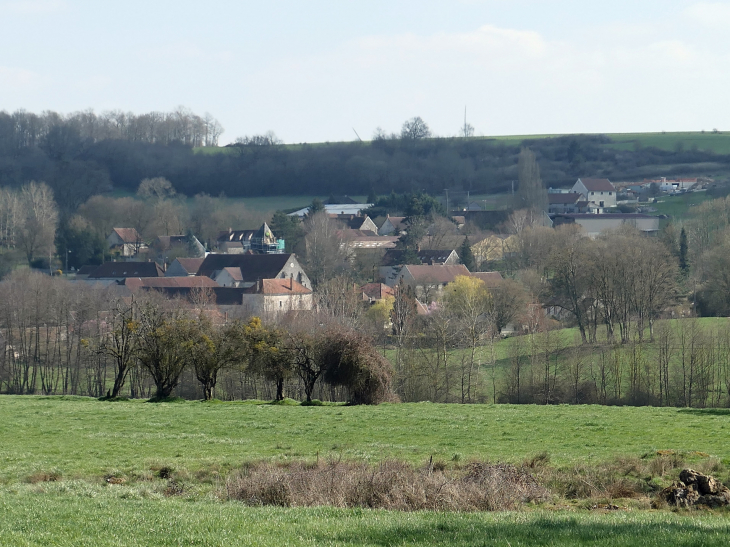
(65,338)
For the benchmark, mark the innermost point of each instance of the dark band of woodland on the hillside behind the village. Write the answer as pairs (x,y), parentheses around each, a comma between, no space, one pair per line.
(84,154)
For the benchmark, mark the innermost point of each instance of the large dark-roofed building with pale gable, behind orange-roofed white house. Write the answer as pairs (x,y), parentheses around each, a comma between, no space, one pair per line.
(246,269)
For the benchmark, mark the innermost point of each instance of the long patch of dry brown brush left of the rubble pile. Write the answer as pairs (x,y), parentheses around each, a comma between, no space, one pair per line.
(390,485)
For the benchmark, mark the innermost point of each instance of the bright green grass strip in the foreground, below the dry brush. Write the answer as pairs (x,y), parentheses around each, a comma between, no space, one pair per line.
(75,515)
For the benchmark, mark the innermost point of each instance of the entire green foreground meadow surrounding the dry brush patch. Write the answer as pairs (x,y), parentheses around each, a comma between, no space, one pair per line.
(55,453)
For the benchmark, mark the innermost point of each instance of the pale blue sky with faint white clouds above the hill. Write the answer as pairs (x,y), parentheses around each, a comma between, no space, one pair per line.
(320,71)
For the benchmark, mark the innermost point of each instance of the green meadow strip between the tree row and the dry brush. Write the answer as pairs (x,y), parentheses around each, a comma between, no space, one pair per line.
(83,438)
